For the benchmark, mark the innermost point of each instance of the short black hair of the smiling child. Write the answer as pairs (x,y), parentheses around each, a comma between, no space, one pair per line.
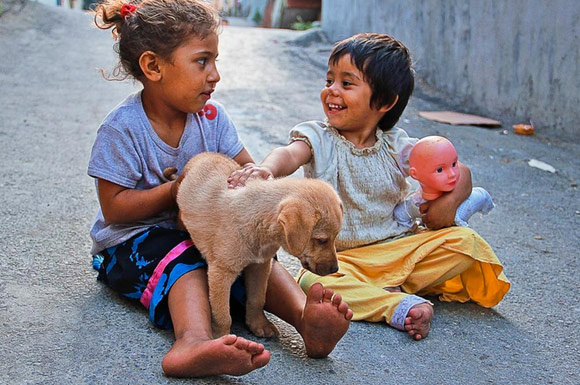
(387,67)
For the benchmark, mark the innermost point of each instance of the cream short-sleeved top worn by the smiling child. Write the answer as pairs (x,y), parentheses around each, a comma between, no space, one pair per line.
(370,181)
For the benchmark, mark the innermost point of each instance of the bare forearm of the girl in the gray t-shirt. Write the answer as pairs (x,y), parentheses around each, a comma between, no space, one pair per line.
(124,205)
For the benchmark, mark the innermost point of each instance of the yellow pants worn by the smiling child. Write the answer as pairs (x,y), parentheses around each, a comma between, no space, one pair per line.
(454,263)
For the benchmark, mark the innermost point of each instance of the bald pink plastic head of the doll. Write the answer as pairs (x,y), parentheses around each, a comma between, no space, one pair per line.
(433,162)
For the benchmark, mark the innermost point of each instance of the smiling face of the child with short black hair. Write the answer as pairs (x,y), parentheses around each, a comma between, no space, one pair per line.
(346,98)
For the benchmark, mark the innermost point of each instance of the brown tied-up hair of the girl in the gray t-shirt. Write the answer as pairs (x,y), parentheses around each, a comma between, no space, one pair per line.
(159,26)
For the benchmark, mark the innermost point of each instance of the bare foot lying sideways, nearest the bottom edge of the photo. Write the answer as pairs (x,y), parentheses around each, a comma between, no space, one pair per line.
(229,354)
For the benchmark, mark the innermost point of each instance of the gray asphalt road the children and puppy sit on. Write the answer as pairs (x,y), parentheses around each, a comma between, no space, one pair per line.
(59,326)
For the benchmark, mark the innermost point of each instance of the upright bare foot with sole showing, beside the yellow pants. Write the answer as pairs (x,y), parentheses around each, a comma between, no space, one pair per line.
(325,320)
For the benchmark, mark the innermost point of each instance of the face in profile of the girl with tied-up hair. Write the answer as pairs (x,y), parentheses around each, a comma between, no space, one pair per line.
(190,75)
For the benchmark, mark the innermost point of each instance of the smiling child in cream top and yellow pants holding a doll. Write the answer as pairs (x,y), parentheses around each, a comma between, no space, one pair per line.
(383,270)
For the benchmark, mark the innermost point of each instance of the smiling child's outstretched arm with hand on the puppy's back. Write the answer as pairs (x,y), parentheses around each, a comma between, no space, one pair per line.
(281,161)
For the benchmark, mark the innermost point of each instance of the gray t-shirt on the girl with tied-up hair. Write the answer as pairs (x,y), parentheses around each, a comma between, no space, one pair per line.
(128,152)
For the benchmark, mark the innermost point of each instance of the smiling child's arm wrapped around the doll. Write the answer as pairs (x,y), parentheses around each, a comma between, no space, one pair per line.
(440,212)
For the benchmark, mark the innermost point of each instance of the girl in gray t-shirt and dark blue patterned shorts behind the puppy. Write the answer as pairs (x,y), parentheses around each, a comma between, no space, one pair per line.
(171,46)
